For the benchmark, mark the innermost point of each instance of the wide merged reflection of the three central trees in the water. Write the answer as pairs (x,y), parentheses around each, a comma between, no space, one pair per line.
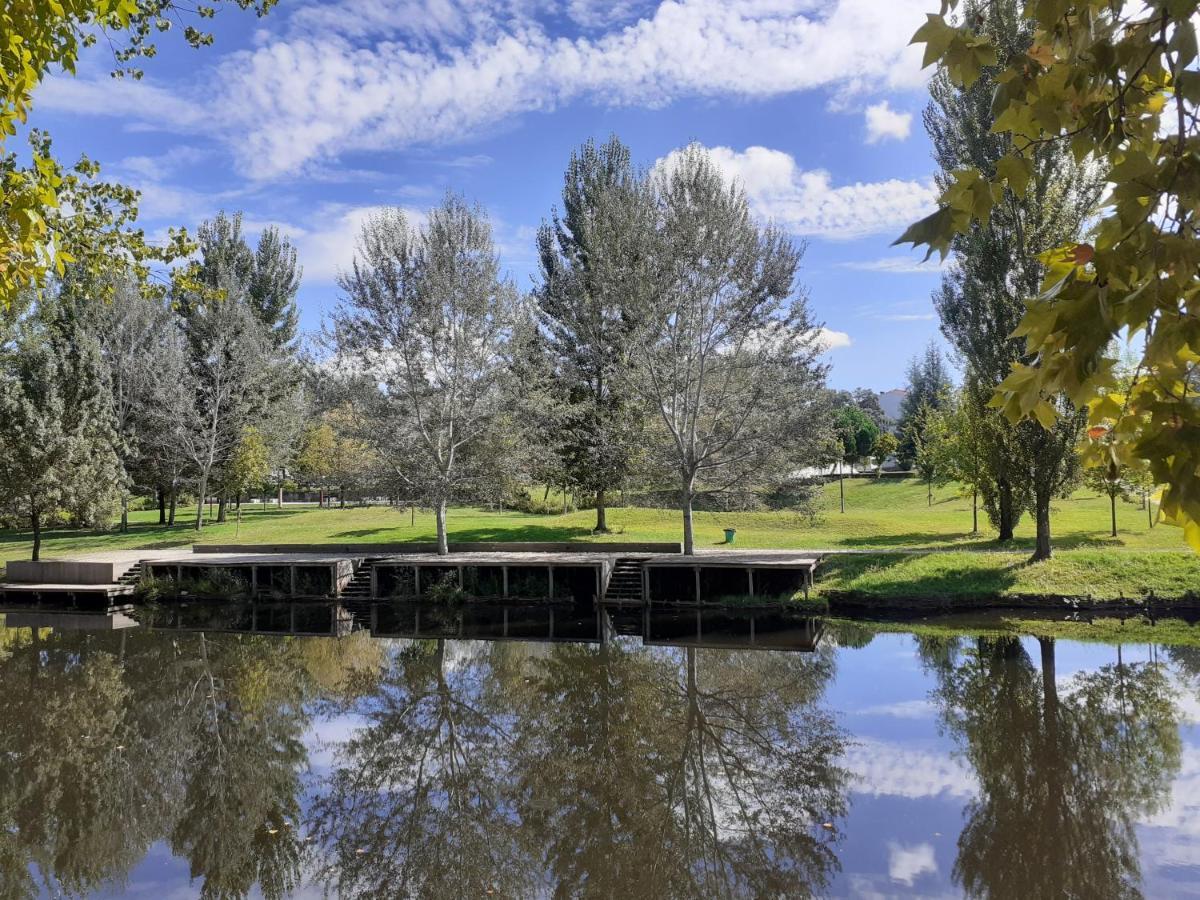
(589,772)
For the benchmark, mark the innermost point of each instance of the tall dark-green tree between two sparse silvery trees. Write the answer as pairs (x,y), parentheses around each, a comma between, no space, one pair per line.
(593,268)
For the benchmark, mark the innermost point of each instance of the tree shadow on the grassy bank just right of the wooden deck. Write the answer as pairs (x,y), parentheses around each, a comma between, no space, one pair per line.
(922,577)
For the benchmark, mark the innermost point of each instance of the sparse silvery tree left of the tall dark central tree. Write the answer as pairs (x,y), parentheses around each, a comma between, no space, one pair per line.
(429,319)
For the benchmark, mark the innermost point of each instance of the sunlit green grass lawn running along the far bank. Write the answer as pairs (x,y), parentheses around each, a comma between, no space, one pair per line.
(886,515)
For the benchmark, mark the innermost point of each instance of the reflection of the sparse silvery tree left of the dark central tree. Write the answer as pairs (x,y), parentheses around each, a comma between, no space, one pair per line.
(417,806)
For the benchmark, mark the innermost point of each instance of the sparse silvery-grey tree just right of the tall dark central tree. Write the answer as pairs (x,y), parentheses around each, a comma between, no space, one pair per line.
(727,355)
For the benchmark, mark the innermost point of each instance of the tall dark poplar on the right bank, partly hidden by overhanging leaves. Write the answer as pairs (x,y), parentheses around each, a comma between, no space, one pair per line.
(981,302)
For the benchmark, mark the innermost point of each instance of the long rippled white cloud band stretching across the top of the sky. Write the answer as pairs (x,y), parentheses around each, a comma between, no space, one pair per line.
(364,75)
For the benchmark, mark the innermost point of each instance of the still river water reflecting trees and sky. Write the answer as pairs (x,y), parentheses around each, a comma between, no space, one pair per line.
(615,759)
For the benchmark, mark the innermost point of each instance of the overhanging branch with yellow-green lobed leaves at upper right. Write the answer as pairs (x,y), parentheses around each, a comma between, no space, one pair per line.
(1117,86)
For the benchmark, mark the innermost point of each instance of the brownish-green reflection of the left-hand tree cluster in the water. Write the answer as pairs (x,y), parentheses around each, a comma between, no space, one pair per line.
(112,742)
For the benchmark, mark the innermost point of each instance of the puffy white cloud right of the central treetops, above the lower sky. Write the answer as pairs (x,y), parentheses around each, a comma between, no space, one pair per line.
(807,202)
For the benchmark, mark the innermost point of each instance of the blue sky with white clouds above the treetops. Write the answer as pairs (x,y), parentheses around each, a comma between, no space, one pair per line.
(326,111)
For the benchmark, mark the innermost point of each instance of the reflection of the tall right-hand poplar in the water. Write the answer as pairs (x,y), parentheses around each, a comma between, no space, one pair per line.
(1065,770)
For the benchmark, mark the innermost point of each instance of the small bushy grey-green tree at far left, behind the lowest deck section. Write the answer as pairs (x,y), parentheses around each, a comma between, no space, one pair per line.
(57,434)
